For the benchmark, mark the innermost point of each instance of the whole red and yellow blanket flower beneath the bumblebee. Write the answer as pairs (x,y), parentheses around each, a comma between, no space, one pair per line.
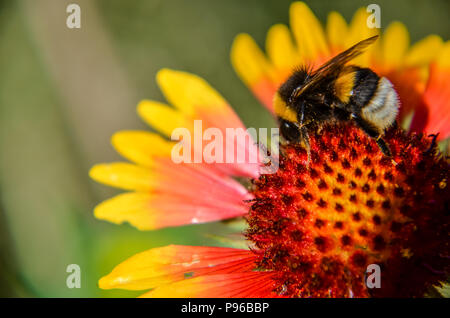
(312,230)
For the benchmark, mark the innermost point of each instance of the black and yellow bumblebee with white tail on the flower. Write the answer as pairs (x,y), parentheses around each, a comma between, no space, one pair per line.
(336,92)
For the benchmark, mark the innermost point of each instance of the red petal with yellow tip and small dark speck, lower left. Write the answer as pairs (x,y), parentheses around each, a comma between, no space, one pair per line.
(173,263)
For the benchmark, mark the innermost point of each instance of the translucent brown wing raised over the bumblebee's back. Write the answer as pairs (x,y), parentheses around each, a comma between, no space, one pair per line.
(334,66)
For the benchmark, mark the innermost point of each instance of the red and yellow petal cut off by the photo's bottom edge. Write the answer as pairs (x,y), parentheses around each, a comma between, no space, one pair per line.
(235,285)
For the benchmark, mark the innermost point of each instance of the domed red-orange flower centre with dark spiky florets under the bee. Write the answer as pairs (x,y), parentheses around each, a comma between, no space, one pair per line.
(318,225)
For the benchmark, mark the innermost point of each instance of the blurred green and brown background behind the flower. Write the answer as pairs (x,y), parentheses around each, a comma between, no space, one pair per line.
(64,92)
